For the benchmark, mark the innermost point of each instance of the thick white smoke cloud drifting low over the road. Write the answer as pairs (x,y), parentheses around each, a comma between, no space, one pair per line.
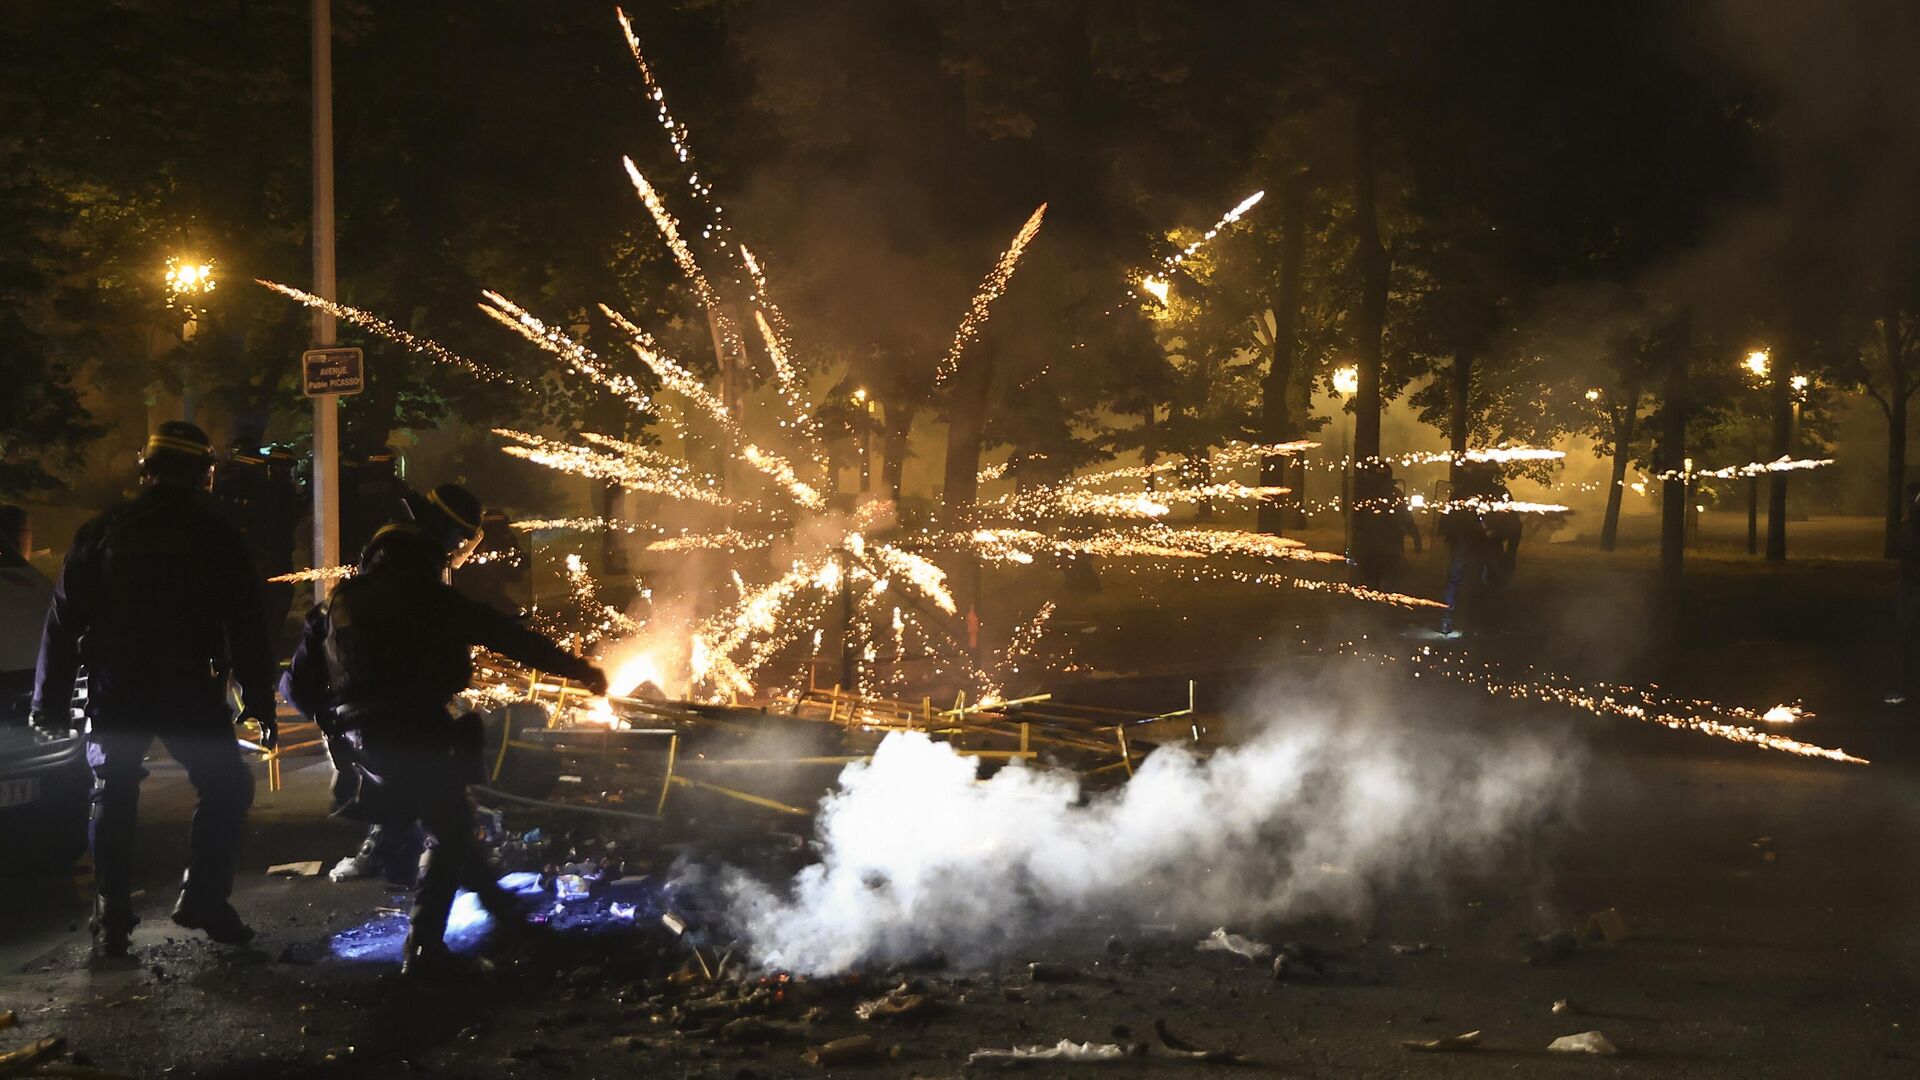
(1312,816)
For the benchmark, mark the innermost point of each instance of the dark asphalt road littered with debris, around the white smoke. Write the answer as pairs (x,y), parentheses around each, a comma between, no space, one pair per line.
(1771,904)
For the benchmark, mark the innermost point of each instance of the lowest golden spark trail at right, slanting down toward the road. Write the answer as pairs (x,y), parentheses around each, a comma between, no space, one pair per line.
(1627,702)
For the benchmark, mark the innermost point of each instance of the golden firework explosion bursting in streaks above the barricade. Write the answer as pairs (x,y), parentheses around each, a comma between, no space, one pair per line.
(853,579)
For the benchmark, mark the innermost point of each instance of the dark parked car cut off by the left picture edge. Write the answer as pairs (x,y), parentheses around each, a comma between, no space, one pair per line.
(45,785)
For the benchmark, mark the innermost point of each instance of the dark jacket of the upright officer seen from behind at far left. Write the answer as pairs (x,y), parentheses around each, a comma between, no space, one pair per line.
(162,602)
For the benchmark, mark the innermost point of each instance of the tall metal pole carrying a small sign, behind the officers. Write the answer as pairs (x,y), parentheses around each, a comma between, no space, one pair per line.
(325,408)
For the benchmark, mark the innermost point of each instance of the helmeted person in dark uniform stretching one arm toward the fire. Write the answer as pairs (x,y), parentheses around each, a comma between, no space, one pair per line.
(383,660)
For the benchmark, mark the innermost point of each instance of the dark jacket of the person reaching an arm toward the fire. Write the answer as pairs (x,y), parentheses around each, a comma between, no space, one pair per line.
(398,635)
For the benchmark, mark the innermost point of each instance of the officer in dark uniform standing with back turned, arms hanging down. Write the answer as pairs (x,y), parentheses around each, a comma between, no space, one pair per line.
(162,604)
